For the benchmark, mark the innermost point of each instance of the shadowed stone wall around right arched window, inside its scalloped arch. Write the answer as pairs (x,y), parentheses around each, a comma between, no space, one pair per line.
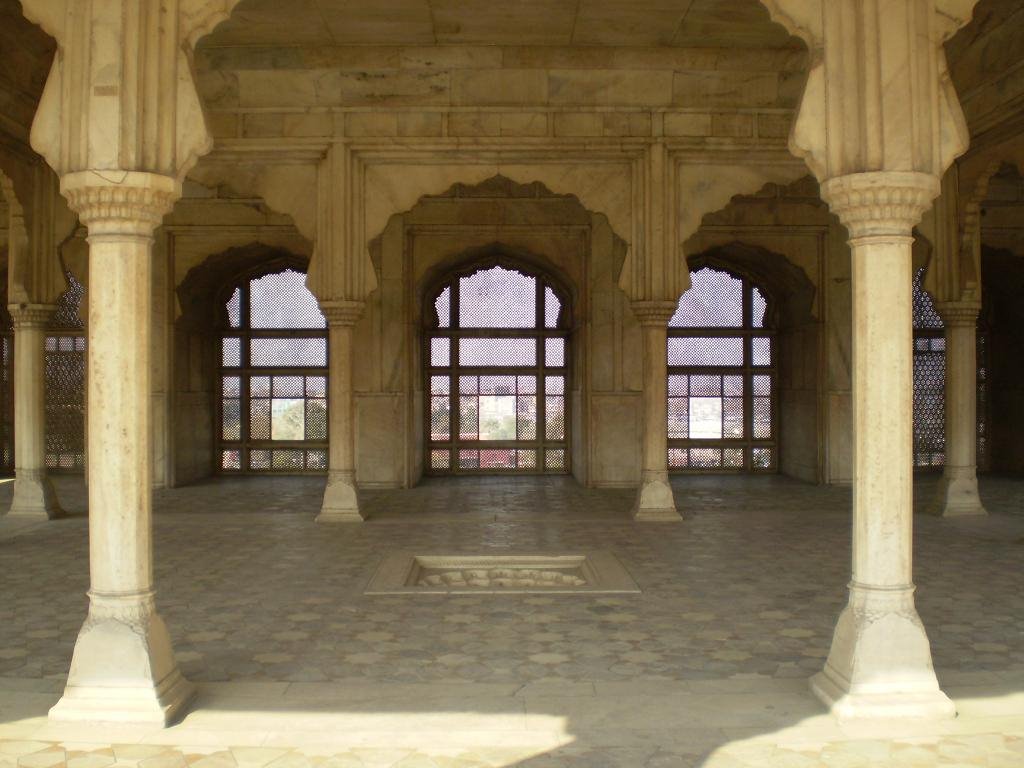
(785,239)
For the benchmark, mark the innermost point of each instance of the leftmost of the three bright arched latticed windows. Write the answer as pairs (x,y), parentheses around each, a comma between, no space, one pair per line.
(274,378)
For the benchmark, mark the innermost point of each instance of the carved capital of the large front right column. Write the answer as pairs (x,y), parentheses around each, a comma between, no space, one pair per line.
(880,203)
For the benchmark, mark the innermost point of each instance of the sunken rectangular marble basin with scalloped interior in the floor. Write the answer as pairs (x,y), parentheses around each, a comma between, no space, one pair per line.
(410,574)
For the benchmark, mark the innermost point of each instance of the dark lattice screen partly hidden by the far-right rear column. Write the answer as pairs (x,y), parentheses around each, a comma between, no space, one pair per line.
(930,382)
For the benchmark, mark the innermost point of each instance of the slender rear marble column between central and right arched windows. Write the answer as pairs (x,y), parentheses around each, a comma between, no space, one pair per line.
(655,499)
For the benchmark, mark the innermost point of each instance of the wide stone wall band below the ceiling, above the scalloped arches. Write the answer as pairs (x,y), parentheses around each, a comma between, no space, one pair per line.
(295,93)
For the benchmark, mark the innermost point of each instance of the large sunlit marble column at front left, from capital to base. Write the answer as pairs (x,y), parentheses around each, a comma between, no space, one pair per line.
(123,669)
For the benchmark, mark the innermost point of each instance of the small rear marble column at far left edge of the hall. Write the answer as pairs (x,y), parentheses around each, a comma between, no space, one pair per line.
(34,496)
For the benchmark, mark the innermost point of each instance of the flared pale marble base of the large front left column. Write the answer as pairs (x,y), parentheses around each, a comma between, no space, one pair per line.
(123,670)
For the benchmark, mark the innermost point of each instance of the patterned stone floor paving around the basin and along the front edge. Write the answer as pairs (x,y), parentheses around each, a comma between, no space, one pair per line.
(747,588)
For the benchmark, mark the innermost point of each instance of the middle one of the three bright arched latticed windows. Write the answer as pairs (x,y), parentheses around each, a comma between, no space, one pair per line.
(497,374)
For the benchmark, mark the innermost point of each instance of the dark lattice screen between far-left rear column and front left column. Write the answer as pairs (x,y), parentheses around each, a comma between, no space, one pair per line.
(65,366)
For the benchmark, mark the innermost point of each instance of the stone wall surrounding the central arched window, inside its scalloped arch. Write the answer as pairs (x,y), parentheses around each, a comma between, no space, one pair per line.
(526,224)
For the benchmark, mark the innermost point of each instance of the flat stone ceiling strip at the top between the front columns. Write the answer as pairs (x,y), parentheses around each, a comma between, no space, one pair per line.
(702,24)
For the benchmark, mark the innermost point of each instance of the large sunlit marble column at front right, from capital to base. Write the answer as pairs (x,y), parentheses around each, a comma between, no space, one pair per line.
(881,664)
